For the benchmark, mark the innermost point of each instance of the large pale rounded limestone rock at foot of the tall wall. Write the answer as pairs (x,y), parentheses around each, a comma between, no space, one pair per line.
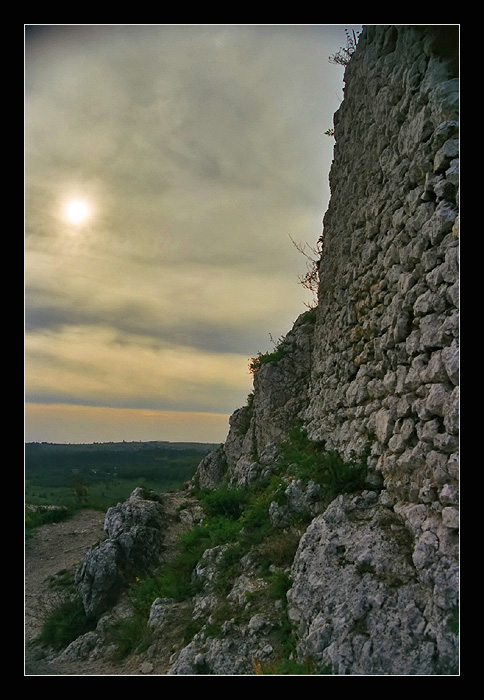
(358,600)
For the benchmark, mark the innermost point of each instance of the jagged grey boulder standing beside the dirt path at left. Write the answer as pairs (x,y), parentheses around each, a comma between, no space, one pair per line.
(134,541)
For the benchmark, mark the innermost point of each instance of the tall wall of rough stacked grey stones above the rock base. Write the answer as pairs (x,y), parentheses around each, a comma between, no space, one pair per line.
(385,361)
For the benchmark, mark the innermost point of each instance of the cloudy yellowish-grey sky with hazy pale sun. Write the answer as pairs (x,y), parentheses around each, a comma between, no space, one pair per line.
(169,169)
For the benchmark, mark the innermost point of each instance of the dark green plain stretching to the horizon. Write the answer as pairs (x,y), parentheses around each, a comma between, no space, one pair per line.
(100,475)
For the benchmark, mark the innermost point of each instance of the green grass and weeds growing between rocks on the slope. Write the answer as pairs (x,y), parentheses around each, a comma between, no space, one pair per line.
(239,519)
